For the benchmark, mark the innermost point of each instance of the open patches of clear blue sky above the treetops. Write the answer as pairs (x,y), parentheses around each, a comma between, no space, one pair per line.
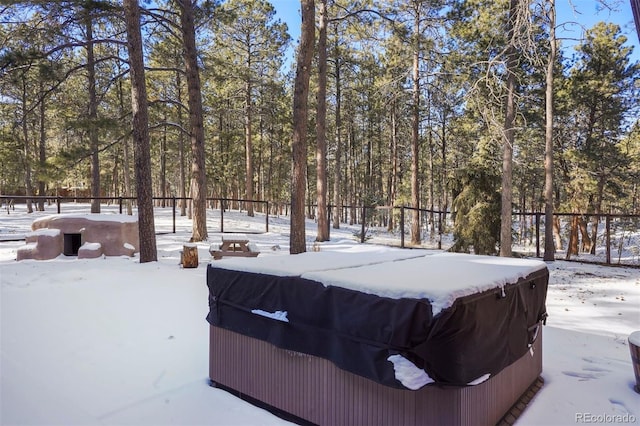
(575,14)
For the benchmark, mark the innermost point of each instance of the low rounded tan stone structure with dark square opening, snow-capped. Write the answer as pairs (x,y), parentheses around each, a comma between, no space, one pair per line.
(86,236)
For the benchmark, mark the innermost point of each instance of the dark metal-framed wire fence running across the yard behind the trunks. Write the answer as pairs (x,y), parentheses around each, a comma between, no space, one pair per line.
(612,239)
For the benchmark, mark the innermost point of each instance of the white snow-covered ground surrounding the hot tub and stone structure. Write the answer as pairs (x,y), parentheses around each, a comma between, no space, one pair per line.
(110,341)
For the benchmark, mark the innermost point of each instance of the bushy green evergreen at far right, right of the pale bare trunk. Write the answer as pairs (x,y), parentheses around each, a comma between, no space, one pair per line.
(600,92)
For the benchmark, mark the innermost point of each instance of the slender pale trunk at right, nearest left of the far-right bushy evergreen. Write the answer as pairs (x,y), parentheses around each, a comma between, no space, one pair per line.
(549,247)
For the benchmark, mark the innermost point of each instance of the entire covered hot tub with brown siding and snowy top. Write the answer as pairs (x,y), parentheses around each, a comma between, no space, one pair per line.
(385,337)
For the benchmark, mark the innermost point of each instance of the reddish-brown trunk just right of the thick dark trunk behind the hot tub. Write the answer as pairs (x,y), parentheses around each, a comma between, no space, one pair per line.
(321,129)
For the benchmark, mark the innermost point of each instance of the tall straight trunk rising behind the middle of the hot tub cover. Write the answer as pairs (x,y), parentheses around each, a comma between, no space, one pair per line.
(415,135)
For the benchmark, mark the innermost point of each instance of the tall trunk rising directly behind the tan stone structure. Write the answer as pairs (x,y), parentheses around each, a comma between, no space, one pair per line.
(93,115)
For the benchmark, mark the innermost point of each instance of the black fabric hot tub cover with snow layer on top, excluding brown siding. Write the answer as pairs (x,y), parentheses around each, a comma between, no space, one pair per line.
(457,317)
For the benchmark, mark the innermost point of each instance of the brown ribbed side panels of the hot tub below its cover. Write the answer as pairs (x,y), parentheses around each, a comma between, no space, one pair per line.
(315,390)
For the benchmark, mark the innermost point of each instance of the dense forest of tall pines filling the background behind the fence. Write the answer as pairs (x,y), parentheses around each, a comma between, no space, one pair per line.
(448,105)
